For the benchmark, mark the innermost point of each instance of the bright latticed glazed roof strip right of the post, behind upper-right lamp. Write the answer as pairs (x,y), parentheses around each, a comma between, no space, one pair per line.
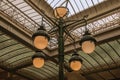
(100,25)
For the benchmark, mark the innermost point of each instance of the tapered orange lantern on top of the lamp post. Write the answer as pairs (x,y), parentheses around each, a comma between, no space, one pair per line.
(60,12)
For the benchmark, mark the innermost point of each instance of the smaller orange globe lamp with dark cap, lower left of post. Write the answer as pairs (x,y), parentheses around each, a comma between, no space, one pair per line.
(38,59)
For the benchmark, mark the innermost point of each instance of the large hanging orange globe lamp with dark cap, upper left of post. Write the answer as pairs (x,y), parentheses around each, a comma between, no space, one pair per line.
(40,38)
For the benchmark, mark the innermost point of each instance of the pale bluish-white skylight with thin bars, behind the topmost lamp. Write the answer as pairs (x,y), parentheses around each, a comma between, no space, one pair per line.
(74,6)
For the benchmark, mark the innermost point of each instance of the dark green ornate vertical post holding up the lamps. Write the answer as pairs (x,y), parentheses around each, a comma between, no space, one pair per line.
(61,49)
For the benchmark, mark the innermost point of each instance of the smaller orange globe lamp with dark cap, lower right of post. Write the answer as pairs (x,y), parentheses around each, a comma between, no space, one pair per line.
(75,62)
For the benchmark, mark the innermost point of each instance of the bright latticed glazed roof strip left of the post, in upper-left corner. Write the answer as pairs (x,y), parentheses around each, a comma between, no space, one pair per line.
(23,13)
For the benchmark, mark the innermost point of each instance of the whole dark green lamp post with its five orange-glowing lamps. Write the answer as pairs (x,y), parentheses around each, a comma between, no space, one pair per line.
(41,38)
